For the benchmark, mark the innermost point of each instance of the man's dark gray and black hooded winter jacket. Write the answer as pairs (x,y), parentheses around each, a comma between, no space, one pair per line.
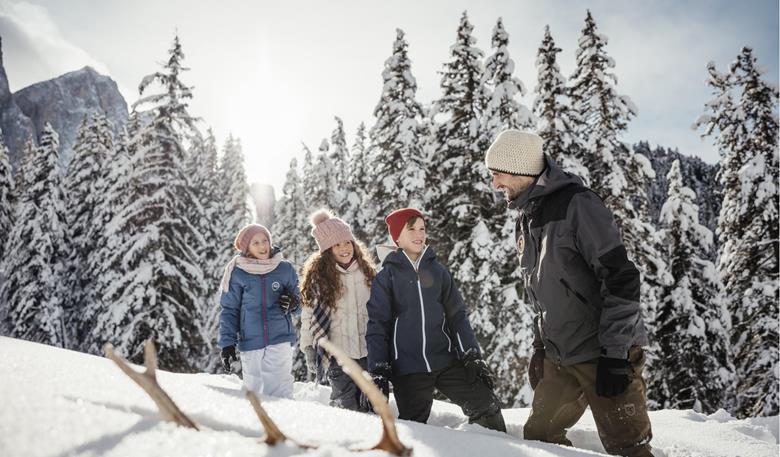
(580,282)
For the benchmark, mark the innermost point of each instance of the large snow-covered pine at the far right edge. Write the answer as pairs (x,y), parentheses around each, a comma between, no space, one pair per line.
(746,132)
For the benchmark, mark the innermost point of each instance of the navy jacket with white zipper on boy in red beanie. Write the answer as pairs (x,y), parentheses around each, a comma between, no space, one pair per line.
(417,320)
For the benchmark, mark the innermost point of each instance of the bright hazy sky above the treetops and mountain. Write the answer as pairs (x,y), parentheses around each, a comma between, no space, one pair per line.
(275,74)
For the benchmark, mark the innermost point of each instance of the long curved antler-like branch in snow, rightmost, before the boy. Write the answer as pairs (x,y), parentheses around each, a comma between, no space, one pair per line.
(390,441)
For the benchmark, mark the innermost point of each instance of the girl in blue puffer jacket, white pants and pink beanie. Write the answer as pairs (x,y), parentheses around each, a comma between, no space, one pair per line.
(259,294)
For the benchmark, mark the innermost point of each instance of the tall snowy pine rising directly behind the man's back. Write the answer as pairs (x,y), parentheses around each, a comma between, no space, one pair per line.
(617,173)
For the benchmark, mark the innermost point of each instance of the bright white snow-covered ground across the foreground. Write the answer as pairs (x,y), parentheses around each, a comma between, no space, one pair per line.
(62,403)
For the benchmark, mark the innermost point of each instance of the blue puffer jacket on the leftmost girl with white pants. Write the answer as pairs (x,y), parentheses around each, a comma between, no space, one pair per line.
(251,315)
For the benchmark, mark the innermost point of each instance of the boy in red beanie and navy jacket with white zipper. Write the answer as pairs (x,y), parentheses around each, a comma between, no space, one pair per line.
(419,337)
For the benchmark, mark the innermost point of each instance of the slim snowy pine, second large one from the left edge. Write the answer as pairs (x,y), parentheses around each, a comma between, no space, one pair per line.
(84,188)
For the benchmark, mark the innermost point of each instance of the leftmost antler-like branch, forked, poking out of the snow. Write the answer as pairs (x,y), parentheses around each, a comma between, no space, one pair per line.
(148,382)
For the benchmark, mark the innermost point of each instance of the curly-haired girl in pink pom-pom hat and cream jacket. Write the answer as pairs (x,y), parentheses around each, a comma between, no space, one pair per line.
(335,288)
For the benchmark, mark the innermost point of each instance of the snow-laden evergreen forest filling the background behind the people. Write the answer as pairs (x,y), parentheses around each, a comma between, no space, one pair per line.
(128,239)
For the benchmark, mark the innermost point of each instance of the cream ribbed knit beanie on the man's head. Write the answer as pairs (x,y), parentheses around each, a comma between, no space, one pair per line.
(516,153)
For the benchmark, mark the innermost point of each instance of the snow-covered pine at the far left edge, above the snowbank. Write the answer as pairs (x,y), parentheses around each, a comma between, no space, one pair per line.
(34,252)
